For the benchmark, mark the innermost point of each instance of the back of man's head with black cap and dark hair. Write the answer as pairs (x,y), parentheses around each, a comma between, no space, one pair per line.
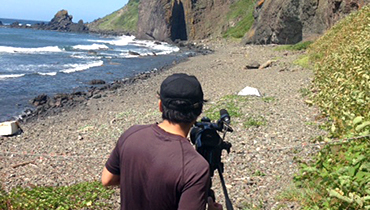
(182,98)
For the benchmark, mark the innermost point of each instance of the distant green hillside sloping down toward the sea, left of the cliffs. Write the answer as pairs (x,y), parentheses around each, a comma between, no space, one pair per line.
(123,20)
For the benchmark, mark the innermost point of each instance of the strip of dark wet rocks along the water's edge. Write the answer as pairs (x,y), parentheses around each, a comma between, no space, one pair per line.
(43,105)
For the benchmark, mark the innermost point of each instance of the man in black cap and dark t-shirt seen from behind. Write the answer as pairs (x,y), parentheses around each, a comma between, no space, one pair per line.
(155,165)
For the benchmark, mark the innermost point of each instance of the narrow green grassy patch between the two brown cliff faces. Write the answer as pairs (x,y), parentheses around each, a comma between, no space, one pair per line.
(241,12)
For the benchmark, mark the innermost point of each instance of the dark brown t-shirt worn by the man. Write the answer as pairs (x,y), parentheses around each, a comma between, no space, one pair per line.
(158,170)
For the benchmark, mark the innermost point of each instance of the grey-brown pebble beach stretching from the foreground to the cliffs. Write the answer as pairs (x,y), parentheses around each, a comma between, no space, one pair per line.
(72,146)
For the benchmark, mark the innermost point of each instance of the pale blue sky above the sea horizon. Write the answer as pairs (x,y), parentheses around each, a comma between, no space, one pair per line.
(44,10)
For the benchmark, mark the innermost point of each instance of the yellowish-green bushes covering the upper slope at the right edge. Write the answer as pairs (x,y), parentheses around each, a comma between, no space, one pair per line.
(342,75)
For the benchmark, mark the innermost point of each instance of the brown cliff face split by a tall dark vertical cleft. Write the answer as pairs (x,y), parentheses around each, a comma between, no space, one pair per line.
(181,19)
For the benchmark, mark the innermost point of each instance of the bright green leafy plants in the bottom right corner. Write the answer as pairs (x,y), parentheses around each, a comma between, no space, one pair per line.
(340,176)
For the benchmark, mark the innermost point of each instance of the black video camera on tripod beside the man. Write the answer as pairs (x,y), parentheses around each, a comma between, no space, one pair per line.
(204,135)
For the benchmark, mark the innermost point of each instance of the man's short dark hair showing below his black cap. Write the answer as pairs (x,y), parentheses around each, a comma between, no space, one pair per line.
(186,116)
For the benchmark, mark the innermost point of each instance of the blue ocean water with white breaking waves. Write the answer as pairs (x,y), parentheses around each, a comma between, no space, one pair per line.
(33,62)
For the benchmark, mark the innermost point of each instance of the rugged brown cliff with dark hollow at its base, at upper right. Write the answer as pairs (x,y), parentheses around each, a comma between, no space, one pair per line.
(290,21)
